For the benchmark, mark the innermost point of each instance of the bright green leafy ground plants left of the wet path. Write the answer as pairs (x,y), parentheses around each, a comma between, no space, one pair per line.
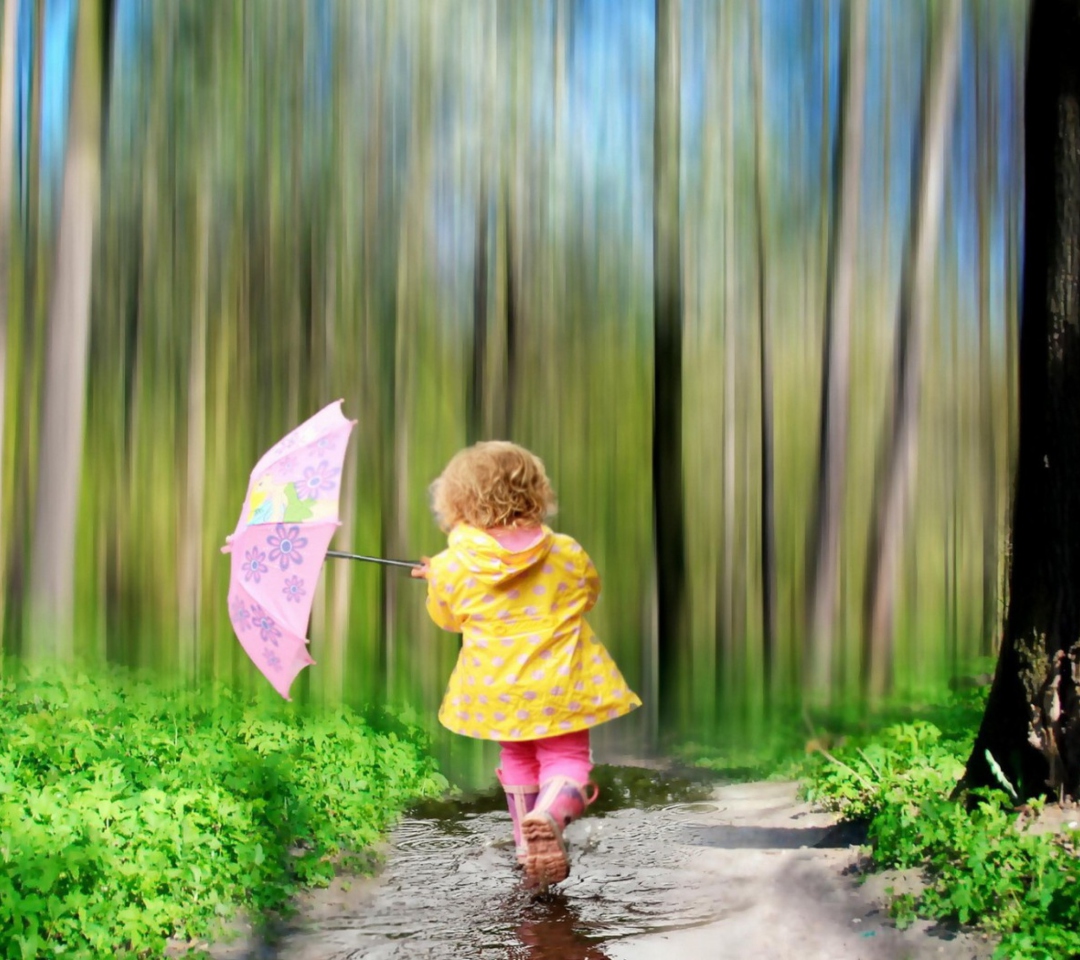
(130,815)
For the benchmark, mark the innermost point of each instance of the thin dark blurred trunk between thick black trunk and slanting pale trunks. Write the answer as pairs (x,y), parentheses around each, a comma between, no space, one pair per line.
(768,517)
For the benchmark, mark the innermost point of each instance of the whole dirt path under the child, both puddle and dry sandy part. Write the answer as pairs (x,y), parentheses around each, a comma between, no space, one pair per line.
(736,874)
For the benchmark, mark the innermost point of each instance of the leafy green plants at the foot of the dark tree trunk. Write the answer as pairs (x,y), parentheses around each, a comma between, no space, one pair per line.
(981,863)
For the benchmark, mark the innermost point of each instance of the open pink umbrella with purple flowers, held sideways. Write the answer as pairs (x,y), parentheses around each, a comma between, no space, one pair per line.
(290,516)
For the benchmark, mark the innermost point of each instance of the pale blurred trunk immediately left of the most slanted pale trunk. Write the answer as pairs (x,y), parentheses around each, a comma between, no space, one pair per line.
(825,545)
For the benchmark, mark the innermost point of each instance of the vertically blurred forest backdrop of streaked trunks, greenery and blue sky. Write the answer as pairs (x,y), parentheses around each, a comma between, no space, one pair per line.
(744,275)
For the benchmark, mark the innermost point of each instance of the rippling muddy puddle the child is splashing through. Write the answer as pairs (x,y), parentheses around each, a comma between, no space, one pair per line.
(452,891)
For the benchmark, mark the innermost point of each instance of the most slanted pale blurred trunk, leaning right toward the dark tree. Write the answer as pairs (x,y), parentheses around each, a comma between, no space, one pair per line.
(897,466)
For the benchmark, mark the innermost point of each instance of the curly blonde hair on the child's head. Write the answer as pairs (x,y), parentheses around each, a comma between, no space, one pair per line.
(493,484)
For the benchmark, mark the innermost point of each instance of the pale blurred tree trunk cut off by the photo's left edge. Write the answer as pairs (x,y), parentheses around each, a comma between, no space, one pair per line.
(8,52)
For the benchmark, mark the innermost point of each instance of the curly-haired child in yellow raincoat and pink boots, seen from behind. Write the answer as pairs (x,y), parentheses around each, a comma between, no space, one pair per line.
(532,674)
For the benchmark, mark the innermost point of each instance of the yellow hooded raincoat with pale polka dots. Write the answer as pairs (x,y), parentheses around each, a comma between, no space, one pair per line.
(530,666)
